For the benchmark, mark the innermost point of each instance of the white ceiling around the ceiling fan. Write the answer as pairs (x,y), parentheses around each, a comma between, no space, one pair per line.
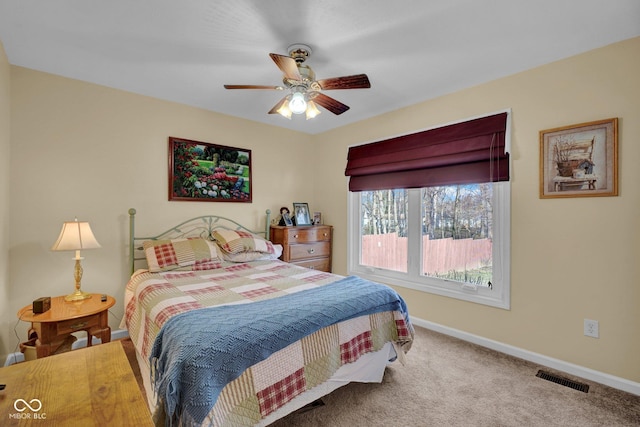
(412,50)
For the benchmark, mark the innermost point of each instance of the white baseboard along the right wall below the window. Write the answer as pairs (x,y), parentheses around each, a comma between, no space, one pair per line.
(577,370)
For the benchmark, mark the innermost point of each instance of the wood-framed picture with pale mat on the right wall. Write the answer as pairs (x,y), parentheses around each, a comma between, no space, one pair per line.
(579,160)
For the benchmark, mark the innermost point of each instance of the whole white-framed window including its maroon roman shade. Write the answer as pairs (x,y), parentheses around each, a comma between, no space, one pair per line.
(431,211)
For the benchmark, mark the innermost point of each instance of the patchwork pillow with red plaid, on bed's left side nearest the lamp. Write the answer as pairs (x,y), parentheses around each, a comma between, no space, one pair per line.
(165,255)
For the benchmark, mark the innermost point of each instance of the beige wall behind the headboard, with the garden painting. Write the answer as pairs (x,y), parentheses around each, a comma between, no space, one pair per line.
(93,152)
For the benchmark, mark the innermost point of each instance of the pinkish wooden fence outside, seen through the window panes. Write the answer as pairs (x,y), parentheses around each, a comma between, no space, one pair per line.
(389,251)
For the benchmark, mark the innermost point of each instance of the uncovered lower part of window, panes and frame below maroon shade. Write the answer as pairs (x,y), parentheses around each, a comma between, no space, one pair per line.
(448,240)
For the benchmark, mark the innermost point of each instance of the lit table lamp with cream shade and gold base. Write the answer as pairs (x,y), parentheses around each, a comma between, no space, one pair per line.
(74,236)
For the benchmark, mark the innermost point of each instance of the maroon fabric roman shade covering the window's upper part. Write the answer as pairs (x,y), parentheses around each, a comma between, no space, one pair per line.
(462,153)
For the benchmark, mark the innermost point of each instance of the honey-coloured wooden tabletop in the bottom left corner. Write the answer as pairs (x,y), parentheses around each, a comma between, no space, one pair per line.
(92,386)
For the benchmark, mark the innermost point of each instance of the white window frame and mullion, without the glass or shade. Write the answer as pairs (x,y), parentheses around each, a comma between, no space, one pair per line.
(498,296)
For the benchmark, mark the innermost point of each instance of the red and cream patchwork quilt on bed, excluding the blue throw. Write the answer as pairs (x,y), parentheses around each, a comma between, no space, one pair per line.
(152,299)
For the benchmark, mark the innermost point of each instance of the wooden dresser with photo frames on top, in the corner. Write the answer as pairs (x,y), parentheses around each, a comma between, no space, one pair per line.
(306,246)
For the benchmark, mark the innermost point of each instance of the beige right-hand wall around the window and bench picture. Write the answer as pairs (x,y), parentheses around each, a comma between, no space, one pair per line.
(571,258)
